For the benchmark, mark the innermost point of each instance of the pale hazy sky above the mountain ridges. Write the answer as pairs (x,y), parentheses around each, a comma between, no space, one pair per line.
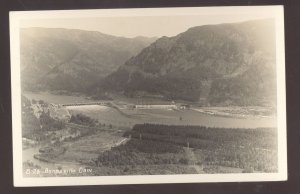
(150,26)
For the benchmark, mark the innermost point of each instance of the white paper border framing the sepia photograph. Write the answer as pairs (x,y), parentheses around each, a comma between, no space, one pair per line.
(19,180)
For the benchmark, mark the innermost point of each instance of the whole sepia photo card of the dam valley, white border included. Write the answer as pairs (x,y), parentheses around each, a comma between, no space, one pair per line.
(148,96)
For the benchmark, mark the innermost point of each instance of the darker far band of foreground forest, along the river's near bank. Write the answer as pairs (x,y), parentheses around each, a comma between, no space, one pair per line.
(260,137)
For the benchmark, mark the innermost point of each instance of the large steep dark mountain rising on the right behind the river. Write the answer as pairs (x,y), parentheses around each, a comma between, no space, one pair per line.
(224,64)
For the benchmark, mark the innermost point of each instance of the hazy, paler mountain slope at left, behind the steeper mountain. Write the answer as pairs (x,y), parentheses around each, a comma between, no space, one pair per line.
(72,60)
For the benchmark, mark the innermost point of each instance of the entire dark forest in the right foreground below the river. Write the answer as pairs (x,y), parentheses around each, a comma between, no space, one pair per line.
(250,150)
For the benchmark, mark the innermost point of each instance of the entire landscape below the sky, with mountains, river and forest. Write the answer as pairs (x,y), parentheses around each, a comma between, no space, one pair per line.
(200,102)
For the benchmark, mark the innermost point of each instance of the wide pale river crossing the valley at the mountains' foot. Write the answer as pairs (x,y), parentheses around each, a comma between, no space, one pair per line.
(127,117)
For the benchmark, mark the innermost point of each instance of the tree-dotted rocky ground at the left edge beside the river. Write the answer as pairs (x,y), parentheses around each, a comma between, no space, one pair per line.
(35,126)
